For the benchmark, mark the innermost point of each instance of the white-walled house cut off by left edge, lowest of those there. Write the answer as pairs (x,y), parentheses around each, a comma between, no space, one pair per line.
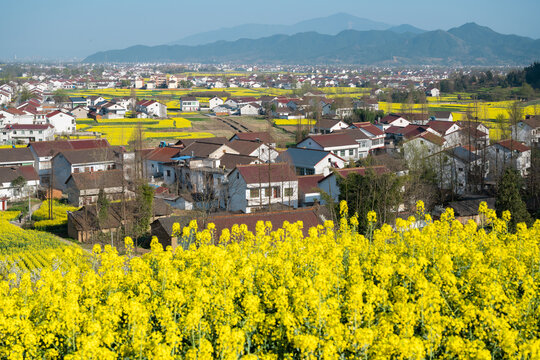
(10,173)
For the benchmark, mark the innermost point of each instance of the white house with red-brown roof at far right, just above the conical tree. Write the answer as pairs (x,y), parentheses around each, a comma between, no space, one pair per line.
(509,153)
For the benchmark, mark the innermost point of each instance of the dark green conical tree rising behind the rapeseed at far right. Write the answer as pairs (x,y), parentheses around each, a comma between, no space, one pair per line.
(509,198)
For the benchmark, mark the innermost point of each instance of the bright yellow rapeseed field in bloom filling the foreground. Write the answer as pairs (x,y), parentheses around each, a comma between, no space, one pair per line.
(447,290)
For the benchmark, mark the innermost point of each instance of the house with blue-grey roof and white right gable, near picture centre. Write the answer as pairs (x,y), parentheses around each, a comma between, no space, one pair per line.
(309,161)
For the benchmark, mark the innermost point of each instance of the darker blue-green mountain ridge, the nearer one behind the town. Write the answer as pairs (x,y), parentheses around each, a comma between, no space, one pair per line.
(469,44)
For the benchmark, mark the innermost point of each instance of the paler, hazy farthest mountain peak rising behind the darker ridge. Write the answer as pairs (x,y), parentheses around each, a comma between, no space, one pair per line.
(330,25)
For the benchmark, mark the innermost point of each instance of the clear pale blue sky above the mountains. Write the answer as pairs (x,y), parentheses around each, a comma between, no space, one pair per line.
(74,29)
